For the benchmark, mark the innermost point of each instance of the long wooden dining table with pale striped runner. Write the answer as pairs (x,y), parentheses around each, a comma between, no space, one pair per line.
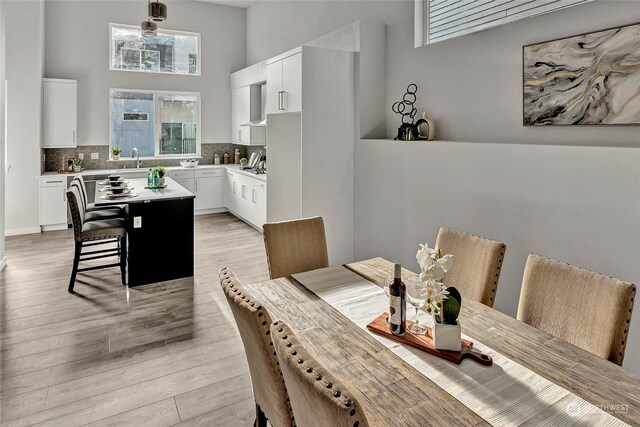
(396,386)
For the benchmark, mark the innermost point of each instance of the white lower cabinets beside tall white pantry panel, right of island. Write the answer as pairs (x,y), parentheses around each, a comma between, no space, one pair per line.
(246,197)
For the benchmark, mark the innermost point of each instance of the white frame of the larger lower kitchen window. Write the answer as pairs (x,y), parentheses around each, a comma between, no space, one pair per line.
(156,125)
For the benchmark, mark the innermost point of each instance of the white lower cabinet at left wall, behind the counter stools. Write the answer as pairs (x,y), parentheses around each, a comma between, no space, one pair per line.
(53,202)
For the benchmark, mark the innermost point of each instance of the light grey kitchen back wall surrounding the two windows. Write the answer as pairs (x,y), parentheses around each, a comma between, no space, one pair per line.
(77,47)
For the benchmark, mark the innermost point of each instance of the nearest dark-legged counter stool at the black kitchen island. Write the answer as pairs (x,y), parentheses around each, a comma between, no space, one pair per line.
(93,233)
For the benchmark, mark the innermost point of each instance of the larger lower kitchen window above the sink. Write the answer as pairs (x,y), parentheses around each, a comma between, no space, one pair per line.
(158,123)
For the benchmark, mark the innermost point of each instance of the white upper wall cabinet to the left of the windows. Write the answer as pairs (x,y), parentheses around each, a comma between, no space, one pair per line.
(60,98)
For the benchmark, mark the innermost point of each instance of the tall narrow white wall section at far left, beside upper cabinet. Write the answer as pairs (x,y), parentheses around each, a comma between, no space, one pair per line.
(24,69)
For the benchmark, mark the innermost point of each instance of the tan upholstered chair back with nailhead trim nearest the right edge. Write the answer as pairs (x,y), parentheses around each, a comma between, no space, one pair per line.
(586,309)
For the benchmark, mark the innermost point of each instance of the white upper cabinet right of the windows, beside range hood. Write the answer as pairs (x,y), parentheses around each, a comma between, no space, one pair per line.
(245,111)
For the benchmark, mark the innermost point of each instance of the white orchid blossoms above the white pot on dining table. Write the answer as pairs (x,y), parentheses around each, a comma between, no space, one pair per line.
(433,266)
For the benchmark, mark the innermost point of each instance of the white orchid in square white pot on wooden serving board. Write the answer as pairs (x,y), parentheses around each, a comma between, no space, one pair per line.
(441,302)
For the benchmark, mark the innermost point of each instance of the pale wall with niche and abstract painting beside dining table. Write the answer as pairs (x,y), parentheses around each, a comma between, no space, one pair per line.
(564,192)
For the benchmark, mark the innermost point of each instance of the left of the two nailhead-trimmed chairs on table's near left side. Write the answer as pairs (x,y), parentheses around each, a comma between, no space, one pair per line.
(253,320)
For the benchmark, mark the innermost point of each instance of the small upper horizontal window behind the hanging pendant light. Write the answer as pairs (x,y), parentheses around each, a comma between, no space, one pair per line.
(173,52)
